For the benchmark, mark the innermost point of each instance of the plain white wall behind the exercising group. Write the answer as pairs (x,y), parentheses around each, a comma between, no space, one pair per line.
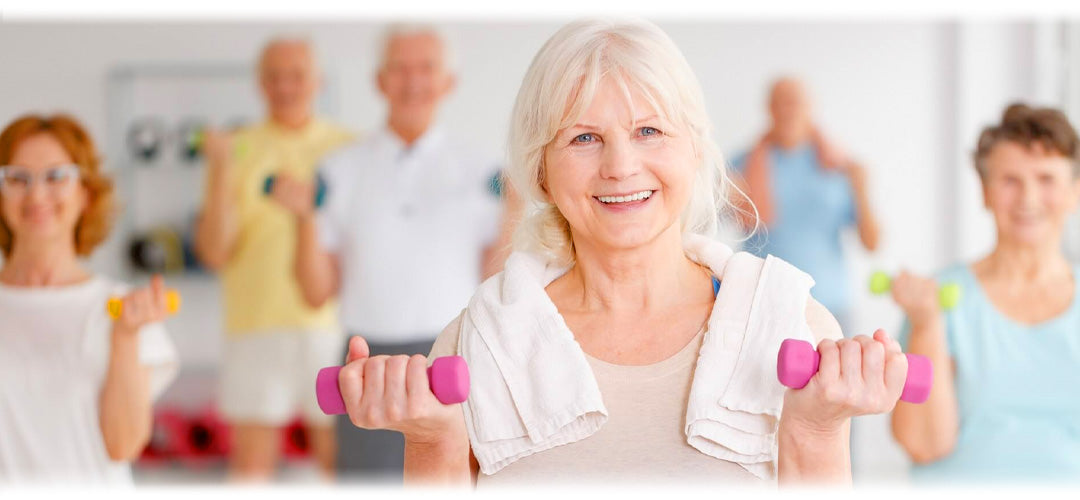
(899,96)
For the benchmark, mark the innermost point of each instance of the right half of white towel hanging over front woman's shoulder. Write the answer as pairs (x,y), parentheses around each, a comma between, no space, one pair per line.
(736,401)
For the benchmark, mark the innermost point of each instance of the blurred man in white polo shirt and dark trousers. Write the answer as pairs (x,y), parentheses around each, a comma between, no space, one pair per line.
(408,231)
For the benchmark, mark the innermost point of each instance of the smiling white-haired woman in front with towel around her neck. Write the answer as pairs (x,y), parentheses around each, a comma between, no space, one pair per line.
(622,342)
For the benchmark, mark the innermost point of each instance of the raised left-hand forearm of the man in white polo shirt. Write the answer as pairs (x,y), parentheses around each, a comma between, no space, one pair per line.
(316,271)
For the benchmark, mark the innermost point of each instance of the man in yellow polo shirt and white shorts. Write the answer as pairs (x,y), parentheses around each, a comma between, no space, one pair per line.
(275,341)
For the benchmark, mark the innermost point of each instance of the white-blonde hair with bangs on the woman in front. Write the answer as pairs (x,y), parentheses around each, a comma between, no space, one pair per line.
(558,89)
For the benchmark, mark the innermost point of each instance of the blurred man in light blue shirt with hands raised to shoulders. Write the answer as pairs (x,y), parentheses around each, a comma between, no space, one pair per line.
(807,193)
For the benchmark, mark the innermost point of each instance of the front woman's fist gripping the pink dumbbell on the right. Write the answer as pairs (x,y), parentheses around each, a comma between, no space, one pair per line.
(857,376)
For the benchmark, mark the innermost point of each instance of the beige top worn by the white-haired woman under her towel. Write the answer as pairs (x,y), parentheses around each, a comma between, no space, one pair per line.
(643,440)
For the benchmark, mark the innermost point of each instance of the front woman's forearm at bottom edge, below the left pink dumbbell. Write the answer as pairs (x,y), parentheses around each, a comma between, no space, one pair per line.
(444,463)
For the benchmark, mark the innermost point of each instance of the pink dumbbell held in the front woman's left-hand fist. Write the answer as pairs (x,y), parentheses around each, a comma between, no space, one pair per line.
(449,377)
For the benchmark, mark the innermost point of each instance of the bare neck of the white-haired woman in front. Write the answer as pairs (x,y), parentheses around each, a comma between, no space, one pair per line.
(653,277)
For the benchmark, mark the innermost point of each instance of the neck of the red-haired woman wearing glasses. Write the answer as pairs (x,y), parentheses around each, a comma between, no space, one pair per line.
(52,265)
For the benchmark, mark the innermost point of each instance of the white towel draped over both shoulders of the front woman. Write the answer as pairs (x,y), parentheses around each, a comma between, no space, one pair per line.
(533,388)
